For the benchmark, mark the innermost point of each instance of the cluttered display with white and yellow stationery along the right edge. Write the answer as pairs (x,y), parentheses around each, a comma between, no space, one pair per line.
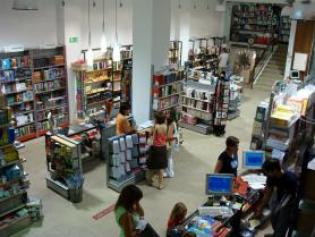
(286,128)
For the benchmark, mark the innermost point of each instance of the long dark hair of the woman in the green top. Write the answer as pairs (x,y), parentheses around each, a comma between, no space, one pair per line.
(130,195)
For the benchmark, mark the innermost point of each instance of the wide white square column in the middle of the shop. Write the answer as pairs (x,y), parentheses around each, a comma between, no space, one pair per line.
(151,35)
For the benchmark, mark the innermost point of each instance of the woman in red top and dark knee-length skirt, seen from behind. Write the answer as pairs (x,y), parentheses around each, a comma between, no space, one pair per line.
(157,160)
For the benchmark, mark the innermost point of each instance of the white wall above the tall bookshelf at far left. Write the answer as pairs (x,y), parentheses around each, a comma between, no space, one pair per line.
(29,28)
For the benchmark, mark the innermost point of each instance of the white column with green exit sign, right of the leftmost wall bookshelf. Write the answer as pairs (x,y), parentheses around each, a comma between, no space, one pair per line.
(68,25)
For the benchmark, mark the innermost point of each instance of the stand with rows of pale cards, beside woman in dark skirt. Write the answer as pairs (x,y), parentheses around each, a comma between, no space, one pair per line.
(126,162)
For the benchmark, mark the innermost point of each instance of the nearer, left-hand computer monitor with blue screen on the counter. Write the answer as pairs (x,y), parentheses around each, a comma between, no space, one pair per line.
(219,184)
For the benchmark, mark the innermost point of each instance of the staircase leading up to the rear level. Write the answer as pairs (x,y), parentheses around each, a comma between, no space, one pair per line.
(274,71)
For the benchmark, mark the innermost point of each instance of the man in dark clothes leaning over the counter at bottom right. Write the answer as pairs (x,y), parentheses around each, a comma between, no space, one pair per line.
(285,185)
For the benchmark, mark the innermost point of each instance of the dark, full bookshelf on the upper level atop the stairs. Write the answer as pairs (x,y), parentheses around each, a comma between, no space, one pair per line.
(256,24)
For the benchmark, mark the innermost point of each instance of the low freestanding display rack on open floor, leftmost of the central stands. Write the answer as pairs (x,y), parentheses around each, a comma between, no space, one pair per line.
(64,167)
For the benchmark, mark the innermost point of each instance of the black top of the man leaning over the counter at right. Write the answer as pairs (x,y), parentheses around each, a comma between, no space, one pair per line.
(286,184)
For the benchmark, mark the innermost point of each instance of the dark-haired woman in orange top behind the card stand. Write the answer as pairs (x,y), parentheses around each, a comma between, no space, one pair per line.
(122,123)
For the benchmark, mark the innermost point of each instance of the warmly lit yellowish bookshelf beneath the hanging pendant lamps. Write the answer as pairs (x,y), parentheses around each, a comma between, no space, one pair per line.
(94,86)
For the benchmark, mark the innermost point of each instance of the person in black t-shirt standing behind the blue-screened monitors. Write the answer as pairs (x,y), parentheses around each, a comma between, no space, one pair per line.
(228,160)
